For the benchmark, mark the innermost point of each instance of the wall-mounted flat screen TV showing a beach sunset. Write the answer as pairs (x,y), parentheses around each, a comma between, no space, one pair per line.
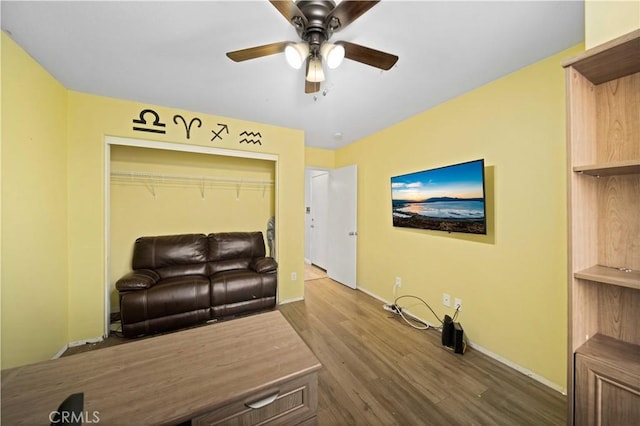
(449,198)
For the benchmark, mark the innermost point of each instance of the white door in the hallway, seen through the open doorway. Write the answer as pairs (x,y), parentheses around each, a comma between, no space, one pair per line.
(319,220)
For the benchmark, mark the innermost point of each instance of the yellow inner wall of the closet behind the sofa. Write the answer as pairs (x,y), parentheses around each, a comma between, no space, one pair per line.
(183,206)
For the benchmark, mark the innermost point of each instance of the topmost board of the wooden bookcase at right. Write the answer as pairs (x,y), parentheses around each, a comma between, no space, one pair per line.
(618,58)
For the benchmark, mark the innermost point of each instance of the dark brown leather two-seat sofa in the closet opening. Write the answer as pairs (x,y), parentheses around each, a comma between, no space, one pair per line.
(182,280)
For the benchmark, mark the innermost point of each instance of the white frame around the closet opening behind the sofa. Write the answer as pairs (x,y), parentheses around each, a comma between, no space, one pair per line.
(169,146)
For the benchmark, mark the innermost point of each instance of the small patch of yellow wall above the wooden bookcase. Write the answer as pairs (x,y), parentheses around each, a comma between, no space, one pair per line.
(608,19)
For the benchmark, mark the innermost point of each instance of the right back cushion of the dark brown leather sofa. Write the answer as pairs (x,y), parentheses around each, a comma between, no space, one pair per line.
(234,250)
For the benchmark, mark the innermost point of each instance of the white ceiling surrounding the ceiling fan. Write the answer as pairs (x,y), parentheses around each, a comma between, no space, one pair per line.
(172,53)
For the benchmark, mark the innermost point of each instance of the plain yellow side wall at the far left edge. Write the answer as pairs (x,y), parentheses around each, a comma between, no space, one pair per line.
(34,210)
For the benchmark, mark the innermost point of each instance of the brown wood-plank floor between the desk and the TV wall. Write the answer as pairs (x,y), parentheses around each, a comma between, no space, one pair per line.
(379,371)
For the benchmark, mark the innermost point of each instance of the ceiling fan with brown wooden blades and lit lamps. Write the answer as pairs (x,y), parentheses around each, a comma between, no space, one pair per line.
(315,22)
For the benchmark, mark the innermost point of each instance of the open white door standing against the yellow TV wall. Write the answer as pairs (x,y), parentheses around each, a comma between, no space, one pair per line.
(342,235)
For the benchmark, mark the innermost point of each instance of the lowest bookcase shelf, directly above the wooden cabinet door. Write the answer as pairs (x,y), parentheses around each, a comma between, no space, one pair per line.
(620,355)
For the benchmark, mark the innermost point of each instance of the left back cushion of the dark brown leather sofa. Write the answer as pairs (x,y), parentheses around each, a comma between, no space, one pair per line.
(172,255)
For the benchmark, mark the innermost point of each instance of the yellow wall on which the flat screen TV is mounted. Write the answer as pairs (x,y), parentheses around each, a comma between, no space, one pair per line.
(512,281)
